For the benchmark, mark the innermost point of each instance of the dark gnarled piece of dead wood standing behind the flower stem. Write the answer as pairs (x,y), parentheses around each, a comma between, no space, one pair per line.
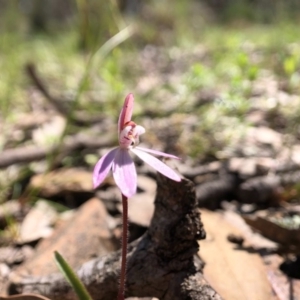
(163,263)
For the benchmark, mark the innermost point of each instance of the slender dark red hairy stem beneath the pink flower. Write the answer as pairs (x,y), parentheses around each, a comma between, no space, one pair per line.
(124,248)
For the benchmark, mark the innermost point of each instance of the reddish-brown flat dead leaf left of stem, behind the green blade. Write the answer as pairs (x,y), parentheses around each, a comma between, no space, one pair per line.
(80,239)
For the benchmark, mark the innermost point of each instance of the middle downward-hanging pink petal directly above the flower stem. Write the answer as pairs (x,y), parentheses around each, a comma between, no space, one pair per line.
(124,173)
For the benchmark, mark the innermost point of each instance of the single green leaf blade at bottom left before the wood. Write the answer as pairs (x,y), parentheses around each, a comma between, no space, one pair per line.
(72,278)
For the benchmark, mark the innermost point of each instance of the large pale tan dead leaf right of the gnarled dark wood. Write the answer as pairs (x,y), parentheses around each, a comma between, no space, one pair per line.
(235,274)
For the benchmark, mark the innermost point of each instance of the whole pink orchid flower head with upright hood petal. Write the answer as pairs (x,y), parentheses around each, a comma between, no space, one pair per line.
(119,159)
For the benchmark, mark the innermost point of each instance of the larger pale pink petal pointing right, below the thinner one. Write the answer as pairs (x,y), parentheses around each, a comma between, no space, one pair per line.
(156,164)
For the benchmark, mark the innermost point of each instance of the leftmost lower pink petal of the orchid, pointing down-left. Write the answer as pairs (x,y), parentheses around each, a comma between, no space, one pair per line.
(103,166)
